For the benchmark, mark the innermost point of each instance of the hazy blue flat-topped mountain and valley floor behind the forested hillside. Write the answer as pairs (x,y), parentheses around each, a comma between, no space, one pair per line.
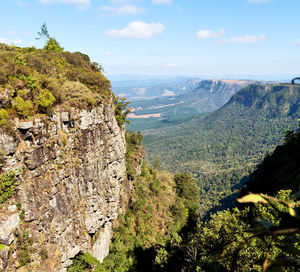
(206,96)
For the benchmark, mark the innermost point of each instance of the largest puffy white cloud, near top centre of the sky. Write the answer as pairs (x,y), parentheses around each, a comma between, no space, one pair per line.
(137,30)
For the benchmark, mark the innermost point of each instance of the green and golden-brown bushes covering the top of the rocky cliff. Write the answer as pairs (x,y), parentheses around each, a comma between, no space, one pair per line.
(34,81)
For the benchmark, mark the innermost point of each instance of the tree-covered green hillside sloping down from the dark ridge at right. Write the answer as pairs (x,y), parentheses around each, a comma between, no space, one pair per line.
(221,148)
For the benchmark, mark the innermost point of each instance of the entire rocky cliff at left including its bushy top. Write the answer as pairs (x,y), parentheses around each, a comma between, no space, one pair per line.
(63,166)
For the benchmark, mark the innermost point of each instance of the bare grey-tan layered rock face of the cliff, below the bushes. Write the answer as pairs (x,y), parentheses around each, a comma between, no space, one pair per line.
(73,186)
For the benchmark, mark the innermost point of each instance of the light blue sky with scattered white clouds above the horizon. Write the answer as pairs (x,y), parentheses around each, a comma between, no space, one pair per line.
(165,37)
